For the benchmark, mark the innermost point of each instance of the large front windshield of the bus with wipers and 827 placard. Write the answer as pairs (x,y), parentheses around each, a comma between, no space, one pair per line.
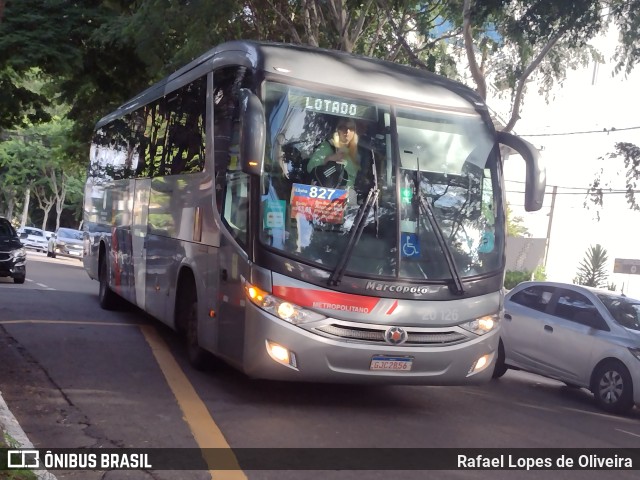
(327,153)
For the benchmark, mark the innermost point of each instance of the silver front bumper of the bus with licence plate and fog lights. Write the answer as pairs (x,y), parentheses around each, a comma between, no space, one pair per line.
(313,357)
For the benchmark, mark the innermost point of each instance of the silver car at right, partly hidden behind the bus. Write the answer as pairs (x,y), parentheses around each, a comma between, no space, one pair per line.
(582,336)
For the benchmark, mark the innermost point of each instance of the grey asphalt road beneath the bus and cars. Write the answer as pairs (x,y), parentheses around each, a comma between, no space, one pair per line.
(77,376)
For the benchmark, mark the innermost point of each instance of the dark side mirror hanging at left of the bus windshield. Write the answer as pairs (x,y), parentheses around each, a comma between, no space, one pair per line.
(252,133)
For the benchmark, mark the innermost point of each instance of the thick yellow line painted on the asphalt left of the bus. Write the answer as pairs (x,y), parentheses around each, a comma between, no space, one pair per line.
(204,429)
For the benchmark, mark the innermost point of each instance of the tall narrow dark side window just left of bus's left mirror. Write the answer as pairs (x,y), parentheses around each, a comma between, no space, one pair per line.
(232,185)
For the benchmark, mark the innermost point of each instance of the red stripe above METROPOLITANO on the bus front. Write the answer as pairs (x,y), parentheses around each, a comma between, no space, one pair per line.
(345,302)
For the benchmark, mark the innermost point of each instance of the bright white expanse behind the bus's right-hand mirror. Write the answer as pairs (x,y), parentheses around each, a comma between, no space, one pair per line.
(585,103)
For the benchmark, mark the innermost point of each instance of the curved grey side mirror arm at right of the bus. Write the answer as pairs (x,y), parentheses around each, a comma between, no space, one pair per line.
(536,177)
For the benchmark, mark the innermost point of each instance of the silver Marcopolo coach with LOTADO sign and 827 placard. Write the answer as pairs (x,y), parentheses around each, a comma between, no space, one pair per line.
(201,209)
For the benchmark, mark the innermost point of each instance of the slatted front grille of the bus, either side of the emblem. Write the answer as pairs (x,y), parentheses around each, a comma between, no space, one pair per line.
(377,335)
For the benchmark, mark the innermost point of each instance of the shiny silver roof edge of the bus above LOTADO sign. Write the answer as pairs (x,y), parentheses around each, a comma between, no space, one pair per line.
(322,67)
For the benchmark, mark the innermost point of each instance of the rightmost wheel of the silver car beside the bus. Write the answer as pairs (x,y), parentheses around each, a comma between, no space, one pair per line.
(612,387)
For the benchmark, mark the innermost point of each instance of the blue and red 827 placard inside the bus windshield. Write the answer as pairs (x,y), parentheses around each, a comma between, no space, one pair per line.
(318,204)
